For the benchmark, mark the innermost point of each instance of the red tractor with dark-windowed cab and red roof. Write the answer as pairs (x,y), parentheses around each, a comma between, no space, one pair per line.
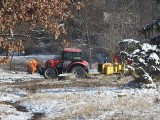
(70,62)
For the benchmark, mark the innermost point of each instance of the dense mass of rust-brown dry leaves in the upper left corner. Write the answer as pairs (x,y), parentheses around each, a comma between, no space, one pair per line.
(49,13)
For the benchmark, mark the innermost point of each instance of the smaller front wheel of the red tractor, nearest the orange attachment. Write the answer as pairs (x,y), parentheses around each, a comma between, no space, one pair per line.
(50,73)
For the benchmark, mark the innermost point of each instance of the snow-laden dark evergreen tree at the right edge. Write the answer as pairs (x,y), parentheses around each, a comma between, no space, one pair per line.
(145,57)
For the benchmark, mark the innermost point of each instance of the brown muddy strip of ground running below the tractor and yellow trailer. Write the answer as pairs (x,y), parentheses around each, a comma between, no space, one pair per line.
(34,85)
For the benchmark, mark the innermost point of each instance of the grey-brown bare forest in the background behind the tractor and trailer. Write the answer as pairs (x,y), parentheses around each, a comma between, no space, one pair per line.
(97,28)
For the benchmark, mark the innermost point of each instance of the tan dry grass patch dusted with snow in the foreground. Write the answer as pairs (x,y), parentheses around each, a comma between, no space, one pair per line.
(92,108)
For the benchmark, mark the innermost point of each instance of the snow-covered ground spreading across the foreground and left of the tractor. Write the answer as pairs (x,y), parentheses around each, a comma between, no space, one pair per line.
(73,103)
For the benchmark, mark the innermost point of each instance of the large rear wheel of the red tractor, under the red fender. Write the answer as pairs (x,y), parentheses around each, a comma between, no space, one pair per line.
(78,71)
